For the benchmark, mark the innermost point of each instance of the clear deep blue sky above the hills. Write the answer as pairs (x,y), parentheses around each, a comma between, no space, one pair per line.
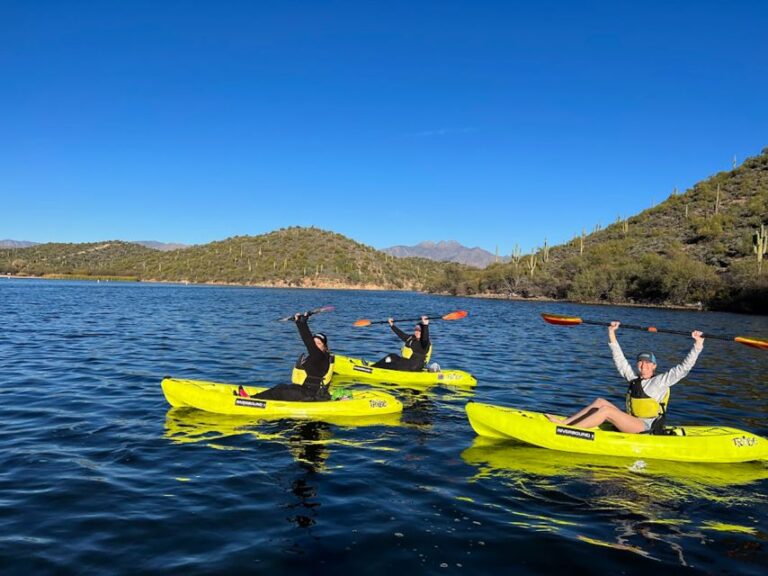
(391,122)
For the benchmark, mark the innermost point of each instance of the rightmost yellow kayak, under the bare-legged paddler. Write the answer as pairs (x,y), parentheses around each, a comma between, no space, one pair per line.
(685,444)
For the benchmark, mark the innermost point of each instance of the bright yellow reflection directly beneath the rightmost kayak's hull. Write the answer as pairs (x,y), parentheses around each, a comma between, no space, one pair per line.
(514,459)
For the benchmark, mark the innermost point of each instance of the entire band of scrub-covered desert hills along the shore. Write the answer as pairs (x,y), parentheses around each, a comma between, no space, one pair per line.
(701,248)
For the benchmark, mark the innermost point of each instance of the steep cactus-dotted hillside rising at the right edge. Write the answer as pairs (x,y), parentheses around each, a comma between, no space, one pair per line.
(701,248)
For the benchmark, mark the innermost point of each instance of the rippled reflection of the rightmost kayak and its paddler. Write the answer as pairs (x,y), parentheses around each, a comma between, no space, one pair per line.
(645,501)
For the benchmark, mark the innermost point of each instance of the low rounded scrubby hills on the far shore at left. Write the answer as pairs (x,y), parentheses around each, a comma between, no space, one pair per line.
(287,257)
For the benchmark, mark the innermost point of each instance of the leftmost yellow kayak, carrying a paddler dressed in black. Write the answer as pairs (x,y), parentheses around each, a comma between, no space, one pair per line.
(223,399)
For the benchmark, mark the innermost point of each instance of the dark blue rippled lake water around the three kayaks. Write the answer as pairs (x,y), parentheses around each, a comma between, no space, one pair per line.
(98,475)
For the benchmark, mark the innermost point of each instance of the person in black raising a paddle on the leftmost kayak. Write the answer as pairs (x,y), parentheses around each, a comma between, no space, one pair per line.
(316,363)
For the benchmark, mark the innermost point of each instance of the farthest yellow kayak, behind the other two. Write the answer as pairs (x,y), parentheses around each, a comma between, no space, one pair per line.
(358,369)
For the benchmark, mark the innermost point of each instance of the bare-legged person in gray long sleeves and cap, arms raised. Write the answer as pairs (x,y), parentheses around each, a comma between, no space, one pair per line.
(647,394)
